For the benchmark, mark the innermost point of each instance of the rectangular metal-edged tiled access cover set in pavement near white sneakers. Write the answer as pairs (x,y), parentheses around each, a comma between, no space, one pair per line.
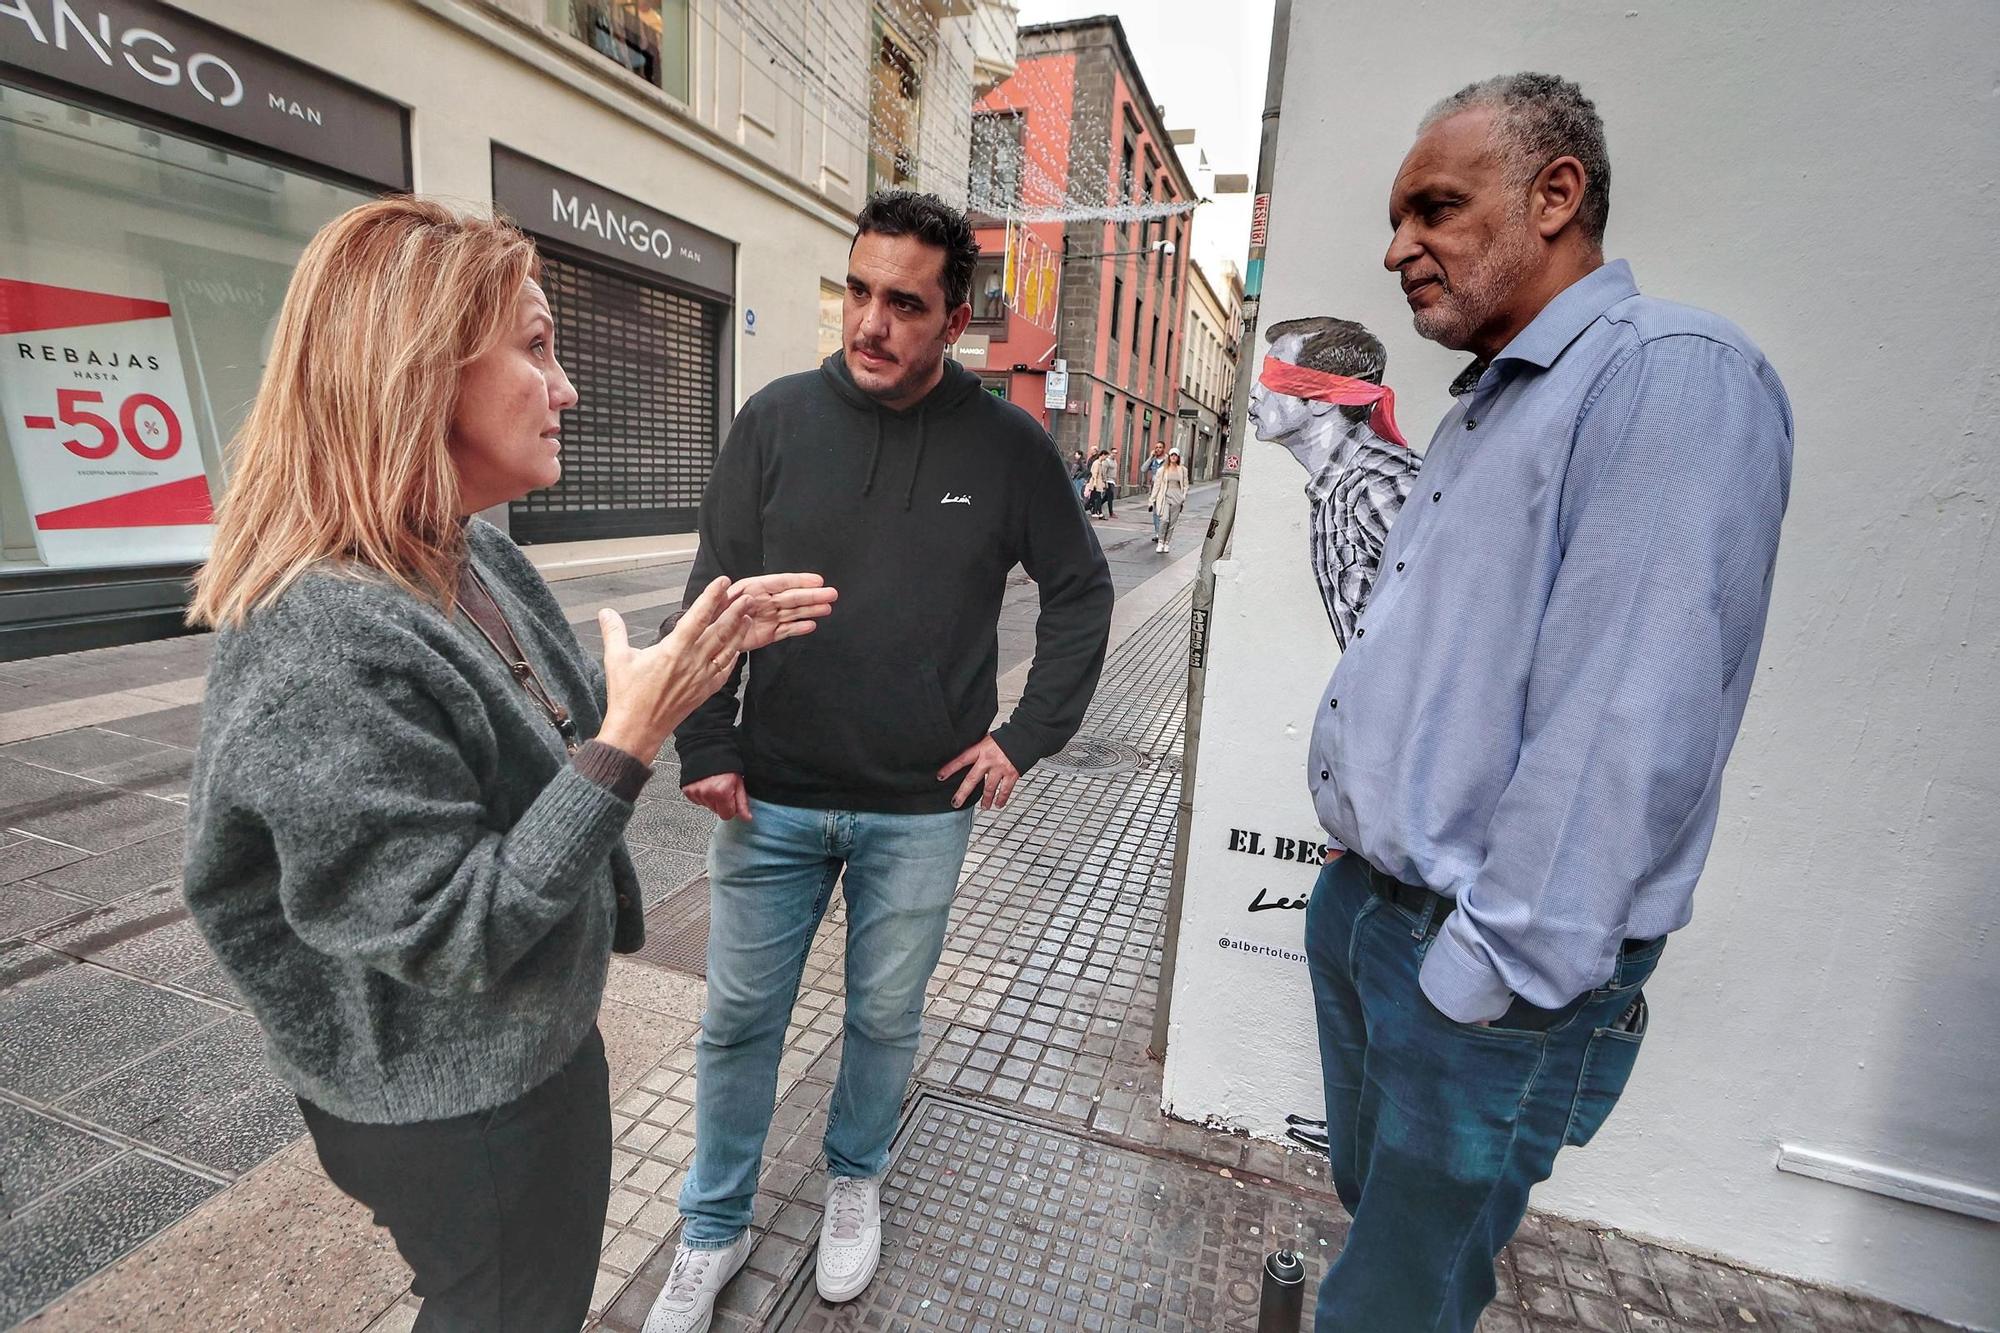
(993,1222)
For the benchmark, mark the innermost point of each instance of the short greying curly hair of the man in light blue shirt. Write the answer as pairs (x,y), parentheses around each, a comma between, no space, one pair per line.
(1541,119)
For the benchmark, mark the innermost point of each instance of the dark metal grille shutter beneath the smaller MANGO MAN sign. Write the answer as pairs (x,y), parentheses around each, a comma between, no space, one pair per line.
(639,445)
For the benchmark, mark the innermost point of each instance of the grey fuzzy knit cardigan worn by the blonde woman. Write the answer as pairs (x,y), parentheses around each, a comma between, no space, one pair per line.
(391,852)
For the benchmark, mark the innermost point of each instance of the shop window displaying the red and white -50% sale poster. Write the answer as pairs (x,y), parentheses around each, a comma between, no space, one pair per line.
(149,269)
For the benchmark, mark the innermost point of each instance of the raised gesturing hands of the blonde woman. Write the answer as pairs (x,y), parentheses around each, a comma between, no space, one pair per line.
(651,692)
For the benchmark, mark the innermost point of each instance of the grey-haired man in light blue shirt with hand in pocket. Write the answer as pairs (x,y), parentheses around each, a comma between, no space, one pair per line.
(1523,744)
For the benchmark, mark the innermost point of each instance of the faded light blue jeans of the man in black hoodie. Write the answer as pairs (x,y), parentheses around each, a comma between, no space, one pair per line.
(769,888)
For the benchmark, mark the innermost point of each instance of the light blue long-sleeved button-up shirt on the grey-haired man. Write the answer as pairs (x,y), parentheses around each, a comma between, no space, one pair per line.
(1553,665)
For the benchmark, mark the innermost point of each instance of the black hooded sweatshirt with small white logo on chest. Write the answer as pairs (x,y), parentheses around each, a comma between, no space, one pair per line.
(917,517)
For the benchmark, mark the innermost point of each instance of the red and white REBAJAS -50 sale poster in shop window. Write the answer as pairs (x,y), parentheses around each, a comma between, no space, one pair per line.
(103,433)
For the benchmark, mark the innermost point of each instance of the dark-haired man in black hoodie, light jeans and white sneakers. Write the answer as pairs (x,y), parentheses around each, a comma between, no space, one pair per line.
(863,748)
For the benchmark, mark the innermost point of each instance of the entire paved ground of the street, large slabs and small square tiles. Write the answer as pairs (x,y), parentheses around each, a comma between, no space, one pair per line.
(157,1178)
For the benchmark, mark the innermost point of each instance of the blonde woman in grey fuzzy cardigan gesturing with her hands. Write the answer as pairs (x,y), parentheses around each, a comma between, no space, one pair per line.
(409,806)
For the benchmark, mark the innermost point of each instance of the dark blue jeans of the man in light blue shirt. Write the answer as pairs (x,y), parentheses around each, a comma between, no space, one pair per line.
(1439,1130)
